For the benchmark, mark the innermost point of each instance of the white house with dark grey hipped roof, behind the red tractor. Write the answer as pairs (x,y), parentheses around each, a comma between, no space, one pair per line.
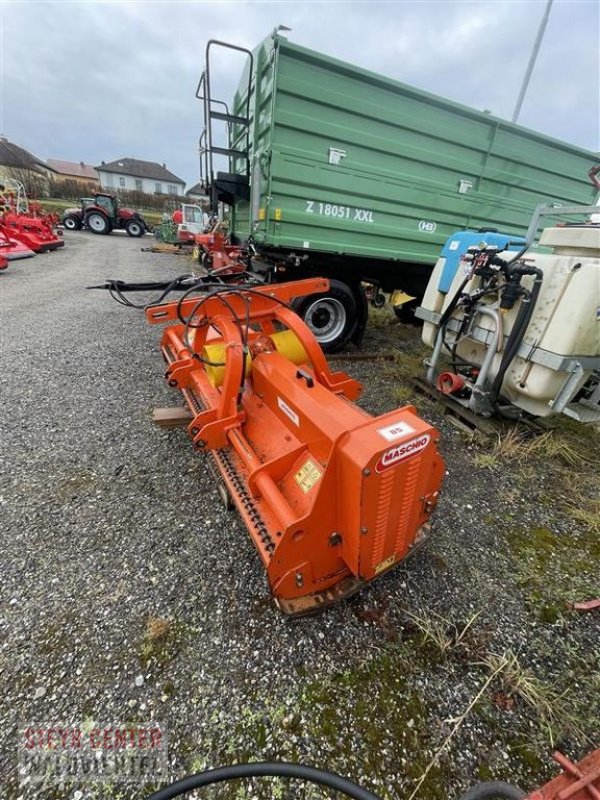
(133,174)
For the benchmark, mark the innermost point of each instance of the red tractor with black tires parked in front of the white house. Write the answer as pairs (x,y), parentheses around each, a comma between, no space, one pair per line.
(102,214)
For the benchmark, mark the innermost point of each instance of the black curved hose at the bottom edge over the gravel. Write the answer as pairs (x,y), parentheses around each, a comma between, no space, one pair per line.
(264,769)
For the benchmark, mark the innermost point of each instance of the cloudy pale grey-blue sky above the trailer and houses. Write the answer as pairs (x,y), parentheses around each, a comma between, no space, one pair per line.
(92,81)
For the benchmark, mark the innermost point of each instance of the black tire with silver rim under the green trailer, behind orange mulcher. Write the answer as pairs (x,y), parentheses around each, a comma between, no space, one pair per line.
(331,316)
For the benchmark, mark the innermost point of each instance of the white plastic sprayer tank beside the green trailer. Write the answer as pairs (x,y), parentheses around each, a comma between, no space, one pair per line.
(564,328)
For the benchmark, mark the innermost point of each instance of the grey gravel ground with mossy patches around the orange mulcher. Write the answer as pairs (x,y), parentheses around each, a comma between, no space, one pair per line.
(129,594)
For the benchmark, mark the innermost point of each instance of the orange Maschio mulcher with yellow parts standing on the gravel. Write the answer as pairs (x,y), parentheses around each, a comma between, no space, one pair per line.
(331,496)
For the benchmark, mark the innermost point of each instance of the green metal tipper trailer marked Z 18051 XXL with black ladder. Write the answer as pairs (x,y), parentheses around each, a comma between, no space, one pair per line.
(335,170)
